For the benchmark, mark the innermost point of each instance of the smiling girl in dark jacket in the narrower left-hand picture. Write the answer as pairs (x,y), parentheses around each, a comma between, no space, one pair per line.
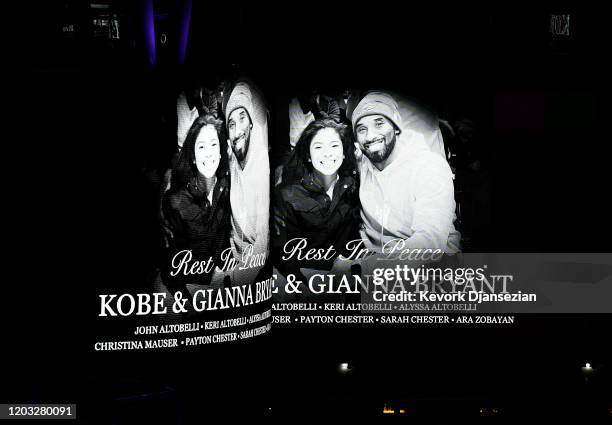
(197,205)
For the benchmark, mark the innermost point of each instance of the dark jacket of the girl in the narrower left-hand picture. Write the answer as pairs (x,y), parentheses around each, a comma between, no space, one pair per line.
(198,225)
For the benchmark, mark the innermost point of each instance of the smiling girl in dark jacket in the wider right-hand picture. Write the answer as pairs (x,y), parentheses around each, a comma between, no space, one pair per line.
(318,199)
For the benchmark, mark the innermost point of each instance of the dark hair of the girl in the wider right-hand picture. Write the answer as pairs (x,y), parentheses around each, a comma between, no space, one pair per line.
(300,164)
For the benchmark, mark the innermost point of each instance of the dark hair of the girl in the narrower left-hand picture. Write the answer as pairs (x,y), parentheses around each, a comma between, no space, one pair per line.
(185,169)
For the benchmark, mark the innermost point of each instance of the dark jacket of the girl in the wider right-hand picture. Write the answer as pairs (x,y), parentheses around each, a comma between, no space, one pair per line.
(303,210)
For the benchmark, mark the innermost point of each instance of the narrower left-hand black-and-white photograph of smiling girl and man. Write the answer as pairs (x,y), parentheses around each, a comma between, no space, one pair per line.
(213,219)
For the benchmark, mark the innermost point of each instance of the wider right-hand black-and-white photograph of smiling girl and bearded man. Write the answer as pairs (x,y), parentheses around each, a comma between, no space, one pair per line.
(339,195)
